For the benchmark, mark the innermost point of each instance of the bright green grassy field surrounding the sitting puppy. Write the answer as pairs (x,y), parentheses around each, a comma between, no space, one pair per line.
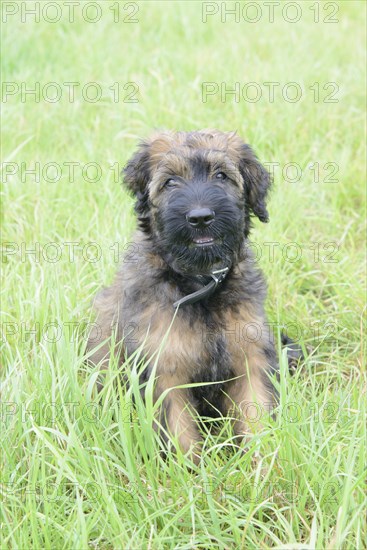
(76,474)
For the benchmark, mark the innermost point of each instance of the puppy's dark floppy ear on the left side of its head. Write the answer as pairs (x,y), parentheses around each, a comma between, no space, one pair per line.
(136,173)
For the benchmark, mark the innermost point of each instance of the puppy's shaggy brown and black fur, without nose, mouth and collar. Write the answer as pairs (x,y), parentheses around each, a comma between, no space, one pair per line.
(223,339)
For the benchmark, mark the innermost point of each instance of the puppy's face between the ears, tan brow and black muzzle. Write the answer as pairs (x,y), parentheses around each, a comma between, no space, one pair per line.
(181,187)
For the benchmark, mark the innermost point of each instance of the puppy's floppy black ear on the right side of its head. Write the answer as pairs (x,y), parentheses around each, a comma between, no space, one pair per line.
(257,182)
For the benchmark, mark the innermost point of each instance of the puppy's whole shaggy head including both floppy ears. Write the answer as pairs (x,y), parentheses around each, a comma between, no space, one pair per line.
(196,192)
